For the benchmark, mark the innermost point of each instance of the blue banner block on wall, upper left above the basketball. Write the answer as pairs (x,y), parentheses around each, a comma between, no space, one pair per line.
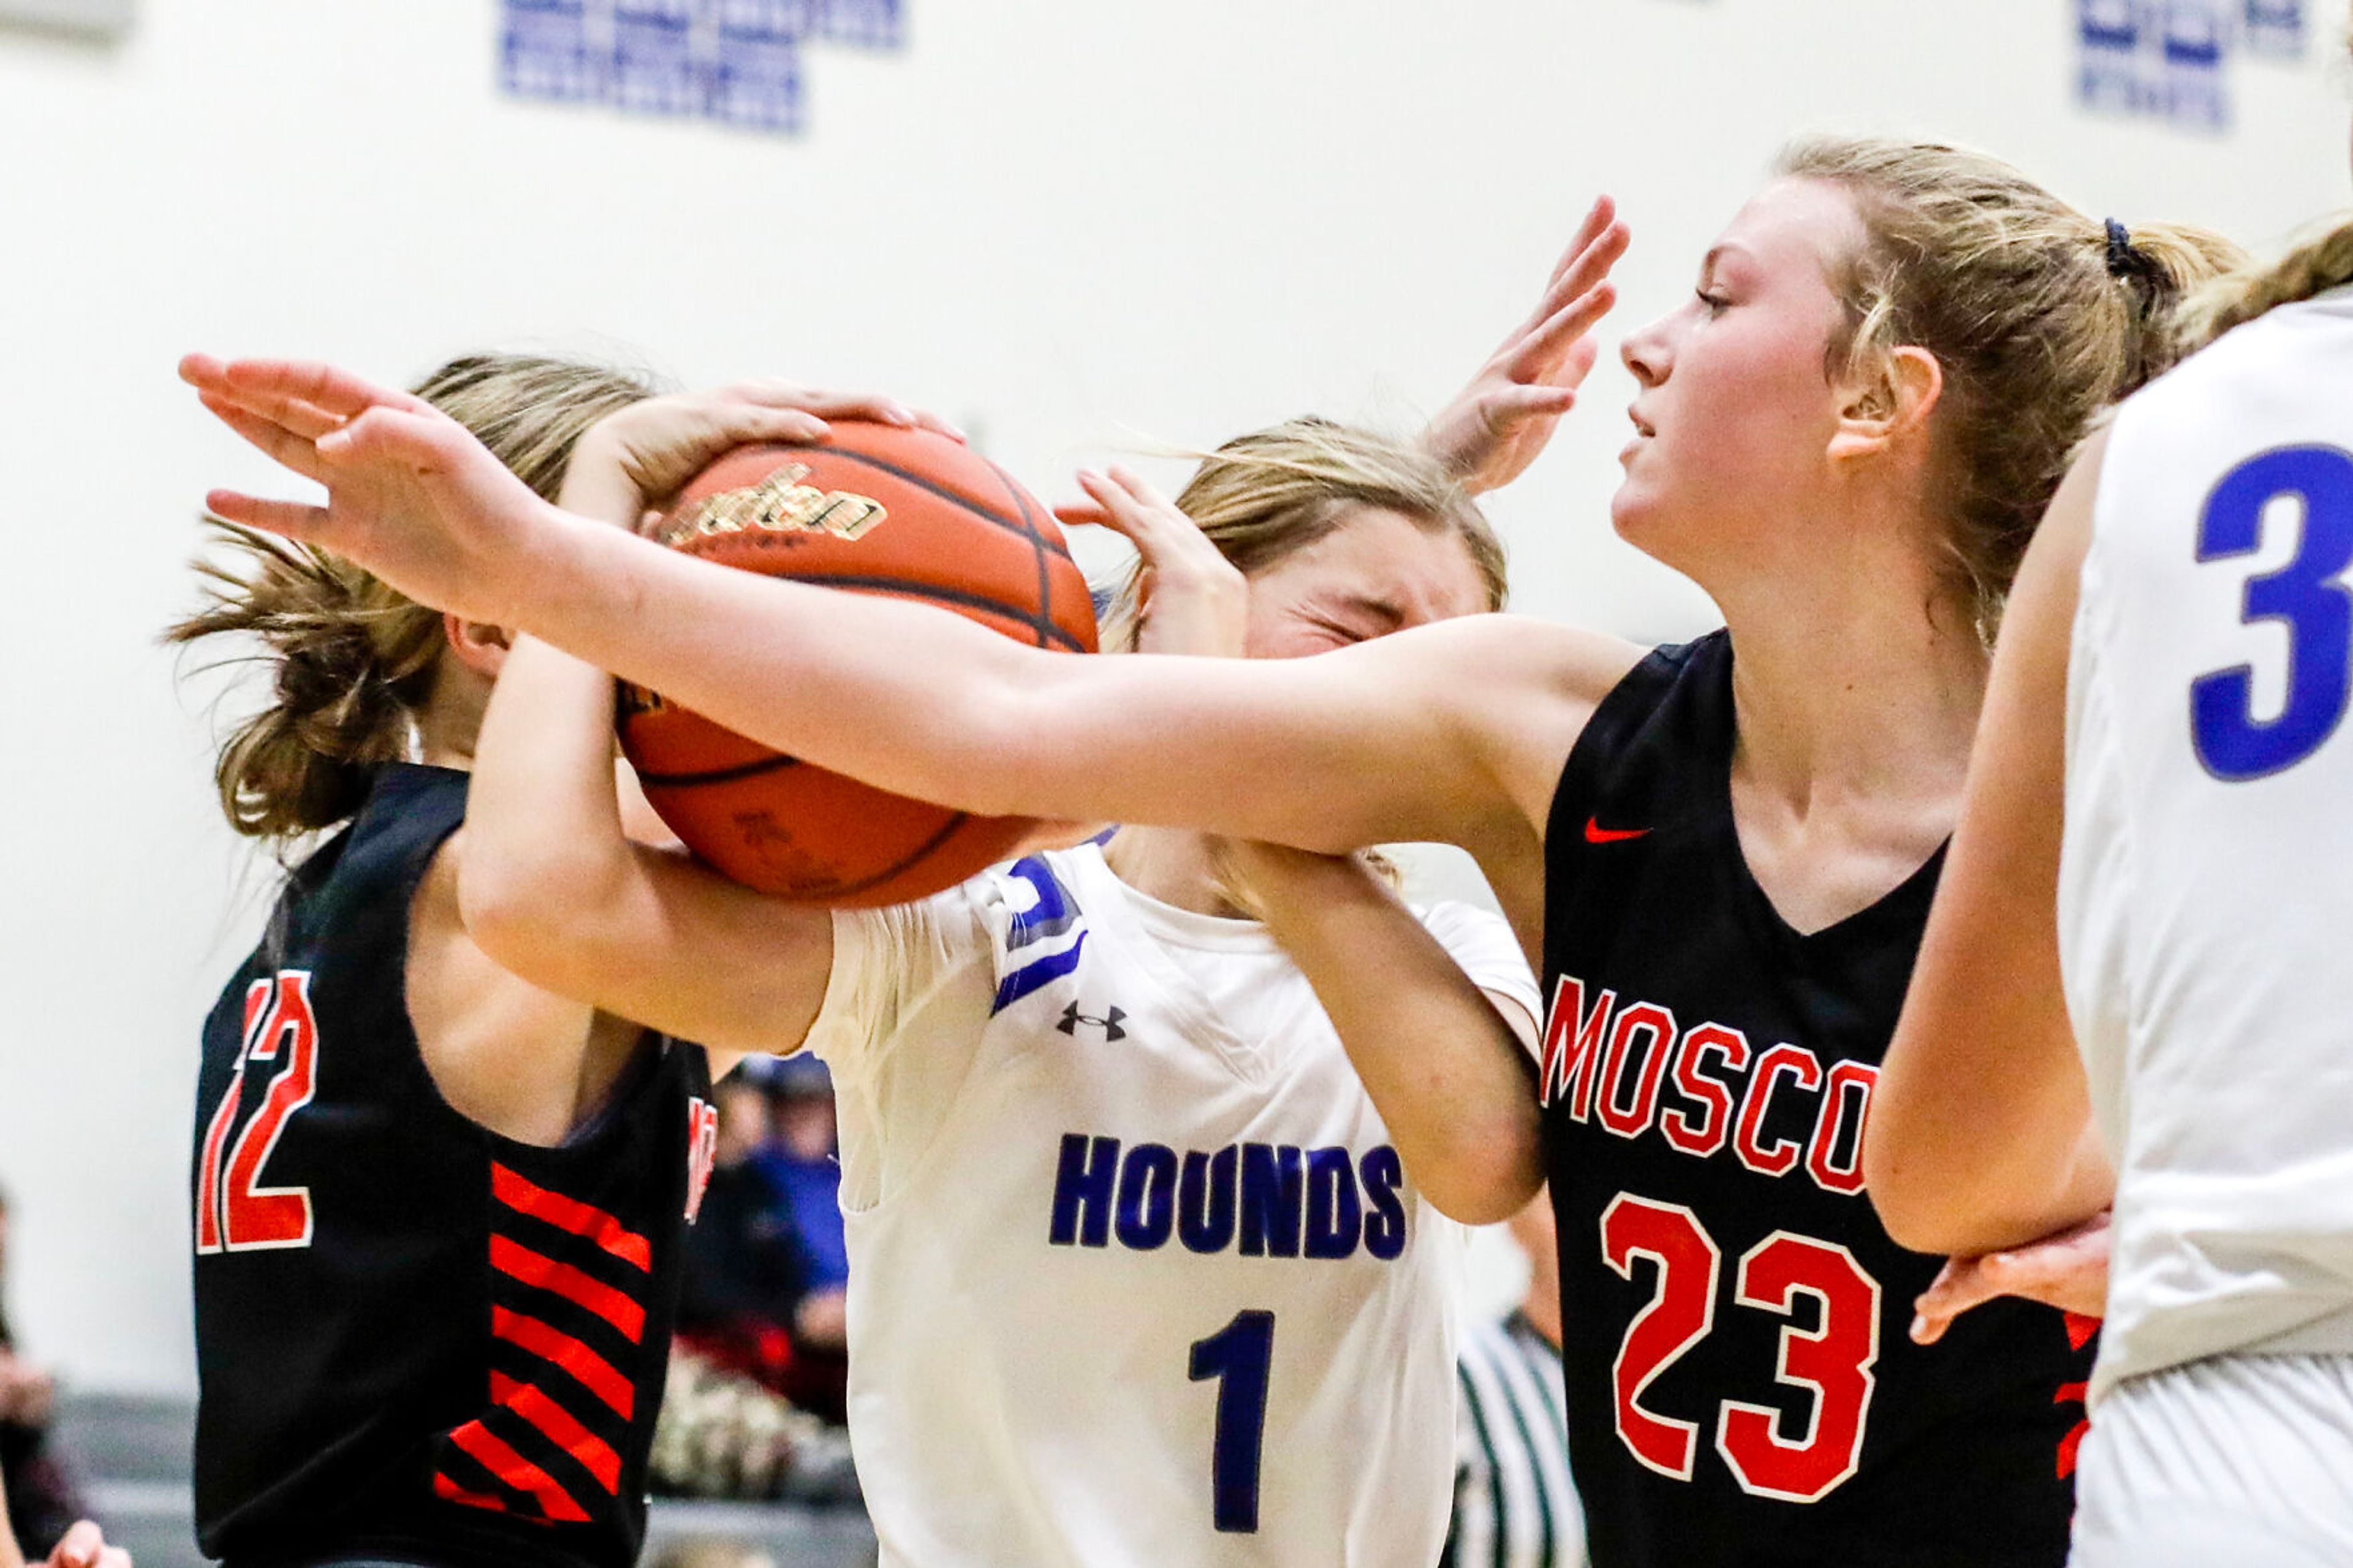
(738,62)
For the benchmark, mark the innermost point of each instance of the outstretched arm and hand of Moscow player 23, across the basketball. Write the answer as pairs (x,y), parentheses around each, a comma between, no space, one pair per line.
(1418,736)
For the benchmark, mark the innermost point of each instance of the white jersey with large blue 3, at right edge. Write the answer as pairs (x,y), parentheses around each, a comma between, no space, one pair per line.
(2206,896)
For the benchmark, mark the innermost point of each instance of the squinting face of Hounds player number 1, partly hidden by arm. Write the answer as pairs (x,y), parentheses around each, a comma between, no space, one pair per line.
(1371,576)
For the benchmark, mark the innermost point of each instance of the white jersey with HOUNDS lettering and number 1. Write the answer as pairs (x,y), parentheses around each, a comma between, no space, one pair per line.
(1135,1270)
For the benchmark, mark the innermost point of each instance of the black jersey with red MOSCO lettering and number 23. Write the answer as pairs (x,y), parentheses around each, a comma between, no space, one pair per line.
(1740,1378)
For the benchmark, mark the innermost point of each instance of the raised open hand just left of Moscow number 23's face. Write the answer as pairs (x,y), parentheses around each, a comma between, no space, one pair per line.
(1500,423)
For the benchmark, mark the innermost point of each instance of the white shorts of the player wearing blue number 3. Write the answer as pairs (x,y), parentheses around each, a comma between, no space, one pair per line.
(2222,1461)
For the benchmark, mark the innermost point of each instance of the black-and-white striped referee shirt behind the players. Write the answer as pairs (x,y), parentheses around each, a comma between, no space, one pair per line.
(1514,1501)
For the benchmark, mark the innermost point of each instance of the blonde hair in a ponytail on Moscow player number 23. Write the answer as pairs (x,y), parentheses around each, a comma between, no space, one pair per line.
(2037,314)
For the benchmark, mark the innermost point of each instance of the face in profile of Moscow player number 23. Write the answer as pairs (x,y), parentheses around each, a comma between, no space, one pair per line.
(1738,408)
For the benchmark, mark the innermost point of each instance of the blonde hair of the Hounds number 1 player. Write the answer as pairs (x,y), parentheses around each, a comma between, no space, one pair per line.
(1279,491)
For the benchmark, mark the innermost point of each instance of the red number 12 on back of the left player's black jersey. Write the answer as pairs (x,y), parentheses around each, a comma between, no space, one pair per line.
(234,1214)
